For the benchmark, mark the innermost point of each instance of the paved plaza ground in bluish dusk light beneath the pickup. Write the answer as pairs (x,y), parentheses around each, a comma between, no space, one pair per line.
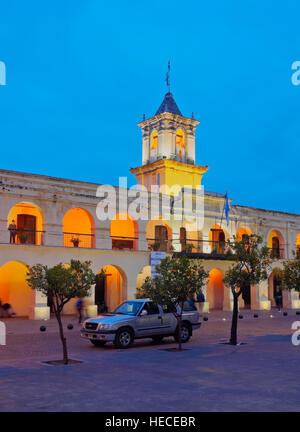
(262,375)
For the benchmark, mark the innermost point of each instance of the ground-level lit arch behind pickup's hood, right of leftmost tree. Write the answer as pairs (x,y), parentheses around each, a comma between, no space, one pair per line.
(112,289)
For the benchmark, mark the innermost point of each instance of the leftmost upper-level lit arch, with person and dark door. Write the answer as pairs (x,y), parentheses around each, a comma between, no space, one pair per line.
(30,223)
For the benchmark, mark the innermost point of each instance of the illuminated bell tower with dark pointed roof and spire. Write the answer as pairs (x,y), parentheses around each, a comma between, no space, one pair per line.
(168,149)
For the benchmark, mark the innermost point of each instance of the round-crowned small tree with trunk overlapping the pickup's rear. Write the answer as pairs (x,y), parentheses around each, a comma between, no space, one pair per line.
(177,279)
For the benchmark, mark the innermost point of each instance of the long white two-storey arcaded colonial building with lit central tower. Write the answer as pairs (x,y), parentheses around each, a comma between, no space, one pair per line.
(58,219)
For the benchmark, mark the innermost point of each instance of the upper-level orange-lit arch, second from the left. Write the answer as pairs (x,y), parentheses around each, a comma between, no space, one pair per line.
(79,228)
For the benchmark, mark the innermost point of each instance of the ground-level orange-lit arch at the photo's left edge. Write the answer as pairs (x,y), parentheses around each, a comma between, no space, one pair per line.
(14,288)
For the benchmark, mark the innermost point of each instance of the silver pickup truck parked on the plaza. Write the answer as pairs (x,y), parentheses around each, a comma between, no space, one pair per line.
(137,319)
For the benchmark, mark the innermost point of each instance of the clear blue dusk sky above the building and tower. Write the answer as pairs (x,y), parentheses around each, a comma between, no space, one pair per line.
(81,73)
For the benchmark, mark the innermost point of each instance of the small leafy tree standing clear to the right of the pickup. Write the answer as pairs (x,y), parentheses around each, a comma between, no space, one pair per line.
(251,264)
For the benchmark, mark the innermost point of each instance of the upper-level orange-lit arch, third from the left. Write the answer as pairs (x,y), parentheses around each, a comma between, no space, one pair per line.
(124,231)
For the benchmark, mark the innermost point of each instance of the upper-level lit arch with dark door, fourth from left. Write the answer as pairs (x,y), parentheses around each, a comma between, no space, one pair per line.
(159,235)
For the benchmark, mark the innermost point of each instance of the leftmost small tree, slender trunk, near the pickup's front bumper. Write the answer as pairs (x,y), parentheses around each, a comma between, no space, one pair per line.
(62,283)
